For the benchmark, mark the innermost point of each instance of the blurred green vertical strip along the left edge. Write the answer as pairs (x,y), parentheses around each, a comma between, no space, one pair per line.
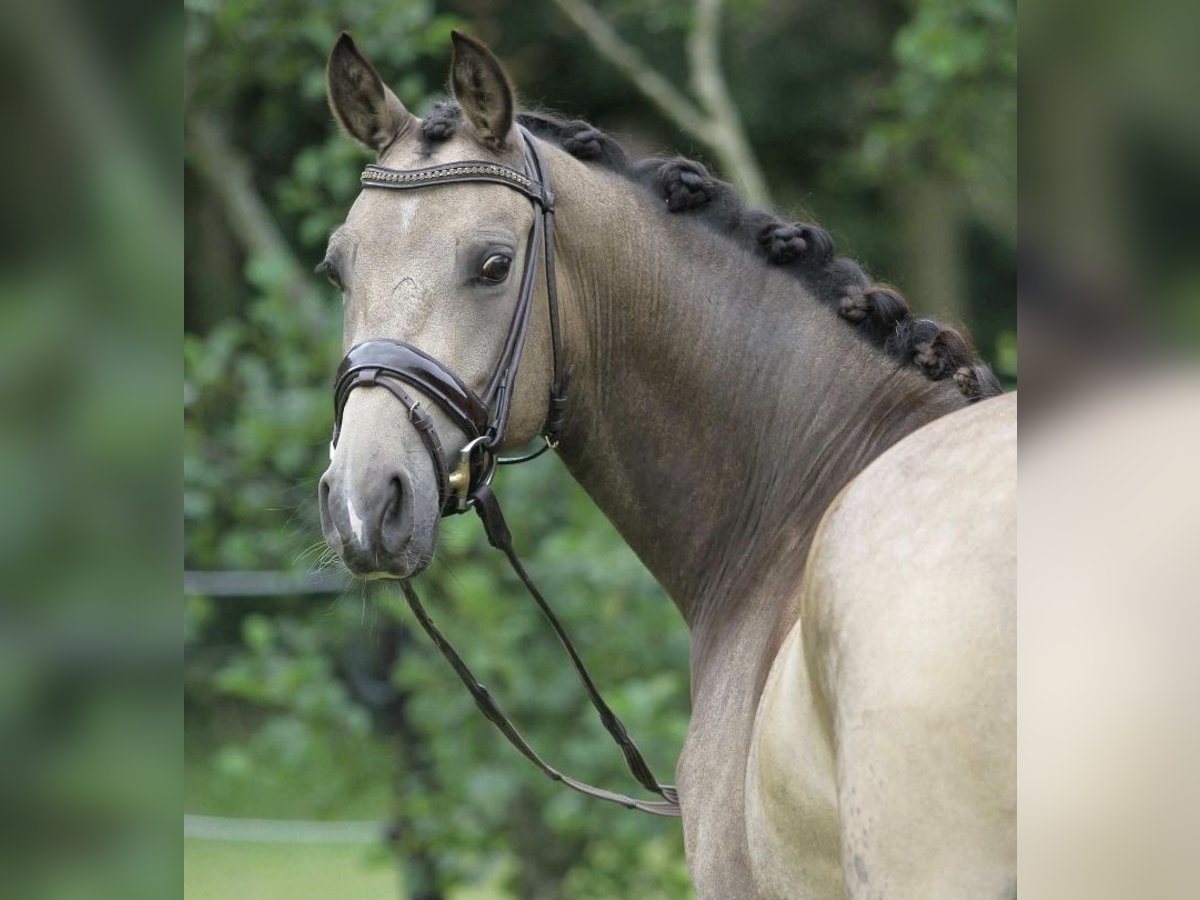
(91,257)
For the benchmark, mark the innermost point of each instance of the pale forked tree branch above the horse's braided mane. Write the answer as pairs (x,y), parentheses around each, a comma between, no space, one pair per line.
(715,122)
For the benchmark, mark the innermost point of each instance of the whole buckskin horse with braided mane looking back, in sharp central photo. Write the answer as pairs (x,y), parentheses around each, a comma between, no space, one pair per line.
(823,483)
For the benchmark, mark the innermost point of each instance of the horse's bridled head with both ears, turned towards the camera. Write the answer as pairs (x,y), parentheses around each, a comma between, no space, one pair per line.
(448,349)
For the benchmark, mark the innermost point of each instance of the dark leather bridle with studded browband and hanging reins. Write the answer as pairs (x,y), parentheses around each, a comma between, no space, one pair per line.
(399,367)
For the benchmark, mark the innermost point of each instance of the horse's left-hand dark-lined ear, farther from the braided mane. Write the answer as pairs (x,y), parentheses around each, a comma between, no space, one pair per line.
(363,104)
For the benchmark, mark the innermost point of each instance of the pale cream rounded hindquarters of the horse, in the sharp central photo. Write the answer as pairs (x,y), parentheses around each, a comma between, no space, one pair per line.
(892,704)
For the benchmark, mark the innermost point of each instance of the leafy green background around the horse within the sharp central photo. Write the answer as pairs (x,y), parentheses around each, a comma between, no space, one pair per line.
(329,751)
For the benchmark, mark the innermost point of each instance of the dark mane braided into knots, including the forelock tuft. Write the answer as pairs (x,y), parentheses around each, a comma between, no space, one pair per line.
(879,313)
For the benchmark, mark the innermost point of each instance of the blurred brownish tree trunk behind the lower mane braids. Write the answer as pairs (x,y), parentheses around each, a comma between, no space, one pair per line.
(932,248)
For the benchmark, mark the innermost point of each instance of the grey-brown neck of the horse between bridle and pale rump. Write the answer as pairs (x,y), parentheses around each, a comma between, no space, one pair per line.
(716,407)
